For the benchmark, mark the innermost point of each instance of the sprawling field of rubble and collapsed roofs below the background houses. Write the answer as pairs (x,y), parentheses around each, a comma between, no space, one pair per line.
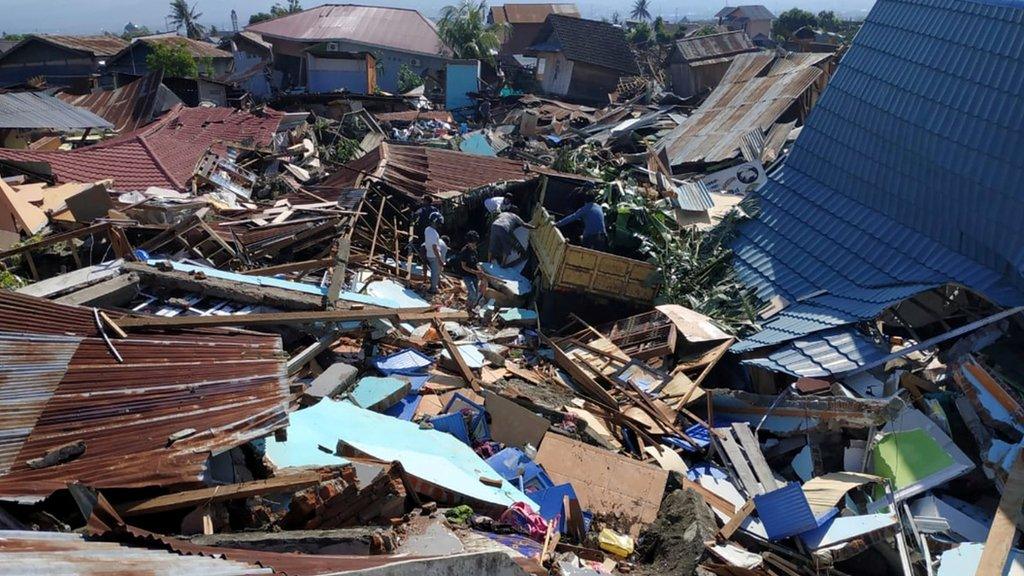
(632,331)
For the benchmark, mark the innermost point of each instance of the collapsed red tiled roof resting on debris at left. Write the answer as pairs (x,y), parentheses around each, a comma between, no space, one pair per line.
(163,154)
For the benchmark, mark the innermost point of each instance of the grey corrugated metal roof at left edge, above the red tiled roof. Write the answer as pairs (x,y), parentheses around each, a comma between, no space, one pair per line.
(38,110)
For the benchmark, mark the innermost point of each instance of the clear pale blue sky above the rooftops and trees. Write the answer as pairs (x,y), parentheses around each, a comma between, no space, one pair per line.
(95,17)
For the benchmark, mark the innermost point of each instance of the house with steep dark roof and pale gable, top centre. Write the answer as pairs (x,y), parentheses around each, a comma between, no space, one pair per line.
(582,60)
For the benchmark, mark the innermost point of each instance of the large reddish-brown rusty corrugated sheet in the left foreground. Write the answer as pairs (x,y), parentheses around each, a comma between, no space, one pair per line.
(230,387)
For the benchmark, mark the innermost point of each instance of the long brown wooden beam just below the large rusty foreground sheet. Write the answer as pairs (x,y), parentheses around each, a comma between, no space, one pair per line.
(190,499)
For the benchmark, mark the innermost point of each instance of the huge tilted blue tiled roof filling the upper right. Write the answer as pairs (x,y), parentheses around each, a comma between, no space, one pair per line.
(907,176)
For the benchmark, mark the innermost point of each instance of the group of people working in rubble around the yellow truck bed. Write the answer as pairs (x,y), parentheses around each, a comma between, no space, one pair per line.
(503,248)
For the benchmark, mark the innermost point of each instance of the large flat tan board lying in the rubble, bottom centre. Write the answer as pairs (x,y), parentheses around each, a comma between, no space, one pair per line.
(616,487)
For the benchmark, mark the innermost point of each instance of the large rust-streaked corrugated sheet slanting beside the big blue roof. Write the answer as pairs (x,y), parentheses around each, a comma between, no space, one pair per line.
(742,103)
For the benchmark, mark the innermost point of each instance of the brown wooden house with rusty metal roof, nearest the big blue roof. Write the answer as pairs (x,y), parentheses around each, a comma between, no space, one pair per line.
(698,64)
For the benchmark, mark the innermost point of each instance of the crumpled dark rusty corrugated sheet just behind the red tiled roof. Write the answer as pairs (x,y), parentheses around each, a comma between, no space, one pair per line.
(129,108)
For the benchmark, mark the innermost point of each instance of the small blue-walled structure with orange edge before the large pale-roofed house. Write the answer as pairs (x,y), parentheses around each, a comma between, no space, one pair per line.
(329,70)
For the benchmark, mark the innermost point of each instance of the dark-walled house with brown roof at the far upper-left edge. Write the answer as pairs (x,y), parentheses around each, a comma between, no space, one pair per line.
(73,62)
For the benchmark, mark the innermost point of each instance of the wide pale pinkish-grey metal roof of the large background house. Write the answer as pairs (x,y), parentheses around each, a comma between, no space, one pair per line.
(400,29)
